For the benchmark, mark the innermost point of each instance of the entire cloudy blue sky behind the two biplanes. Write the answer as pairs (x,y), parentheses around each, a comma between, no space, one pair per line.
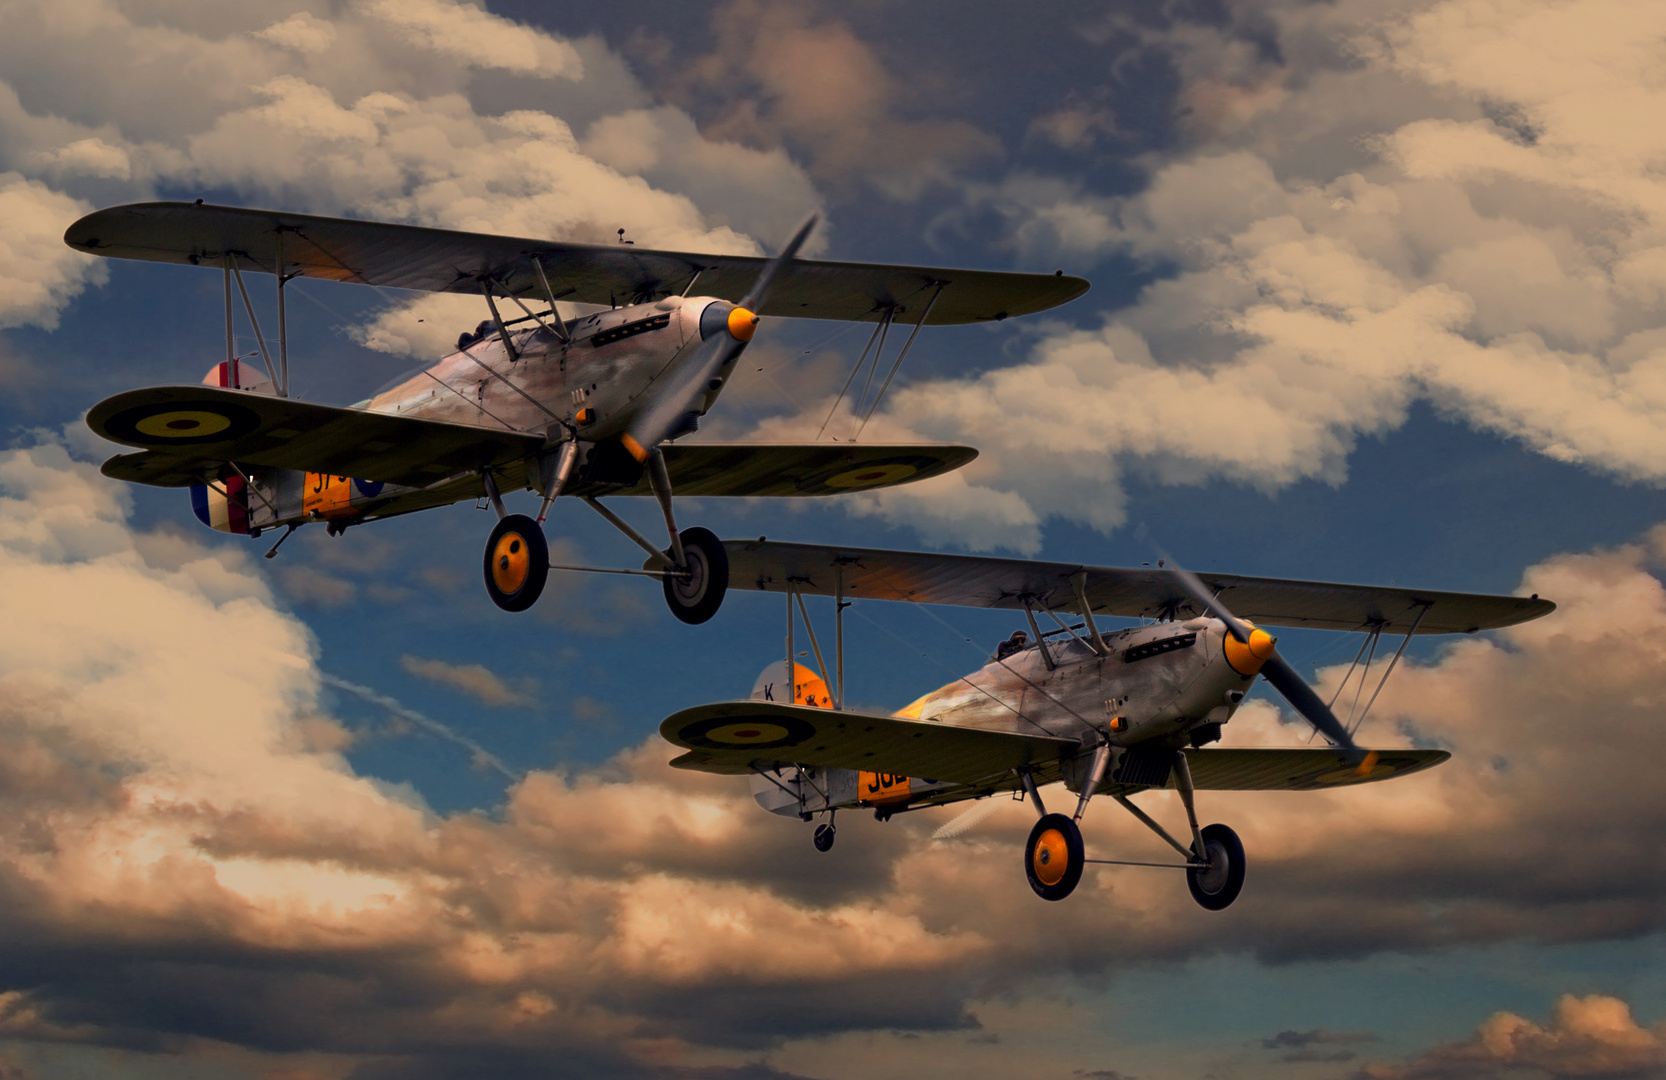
(1379,296)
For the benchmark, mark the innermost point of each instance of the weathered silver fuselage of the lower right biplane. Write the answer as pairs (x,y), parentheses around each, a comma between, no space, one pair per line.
(1150,689)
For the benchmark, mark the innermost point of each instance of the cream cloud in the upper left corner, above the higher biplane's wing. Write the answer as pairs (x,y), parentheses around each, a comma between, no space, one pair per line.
(374,111)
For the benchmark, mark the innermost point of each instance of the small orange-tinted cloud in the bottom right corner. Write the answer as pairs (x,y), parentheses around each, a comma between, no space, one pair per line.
(1589,1036)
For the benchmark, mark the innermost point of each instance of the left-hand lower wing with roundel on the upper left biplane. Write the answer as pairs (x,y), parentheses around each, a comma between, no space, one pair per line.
(191,431)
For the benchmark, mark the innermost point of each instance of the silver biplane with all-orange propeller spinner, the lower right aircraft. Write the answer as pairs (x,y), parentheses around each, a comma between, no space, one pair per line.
(1109,712)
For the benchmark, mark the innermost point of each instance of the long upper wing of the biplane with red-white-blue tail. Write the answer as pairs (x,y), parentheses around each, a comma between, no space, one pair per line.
(442,261)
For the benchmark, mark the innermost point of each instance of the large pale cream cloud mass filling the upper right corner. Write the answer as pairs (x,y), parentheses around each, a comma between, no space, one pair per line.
(1402,209)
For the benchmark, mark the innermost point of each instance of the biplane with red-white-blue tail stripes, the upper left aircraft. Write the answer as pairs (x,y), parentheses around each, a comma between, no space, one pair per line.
(586,407)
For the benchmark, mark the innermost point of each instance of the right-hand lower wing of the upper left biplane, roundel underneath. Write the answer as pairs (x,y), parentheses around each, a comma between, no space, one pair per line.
(794,469)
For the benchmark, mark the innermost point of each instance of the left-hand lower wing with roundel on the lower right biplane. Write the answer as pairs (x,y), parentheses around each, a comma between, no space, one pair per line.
(737,737)
